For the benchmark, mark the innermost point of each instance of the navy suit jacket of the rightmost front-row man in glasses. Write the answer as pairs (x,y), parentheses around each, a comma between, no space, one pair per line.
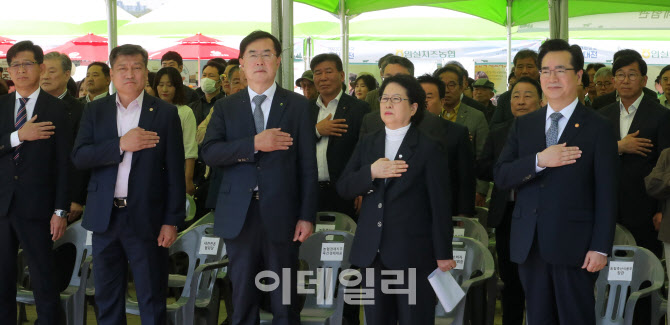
(571,209)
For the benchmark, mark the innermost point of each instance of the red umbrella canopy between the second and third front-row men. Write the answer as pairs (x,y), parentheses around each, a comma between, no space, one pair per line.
(199,47)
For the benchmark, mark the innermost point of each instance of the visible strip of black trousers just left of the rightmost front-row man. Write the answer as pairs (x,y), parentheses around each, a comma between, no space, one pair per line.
(513,299)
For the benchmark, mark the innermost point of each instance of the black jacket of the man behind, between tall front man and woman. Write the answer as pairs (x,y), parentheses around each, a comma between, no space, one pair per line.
(340,148)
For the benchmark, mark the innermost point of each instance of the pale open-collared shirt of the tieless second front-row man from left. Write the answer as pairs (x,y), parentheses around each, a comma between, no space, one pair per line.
(127,118)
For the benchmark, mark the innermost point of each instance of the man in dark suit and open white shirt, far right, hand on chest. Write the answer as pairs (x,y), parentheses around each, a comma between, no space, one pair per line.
(643,126)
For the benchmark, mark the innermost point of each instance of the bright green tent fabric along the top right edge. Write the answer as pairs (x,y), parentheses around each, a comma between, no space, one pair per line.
(523,11)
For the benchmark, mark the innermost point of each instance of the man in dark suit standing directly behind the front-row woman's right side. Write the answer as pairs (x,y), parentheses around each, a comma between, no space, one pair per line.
(454,140)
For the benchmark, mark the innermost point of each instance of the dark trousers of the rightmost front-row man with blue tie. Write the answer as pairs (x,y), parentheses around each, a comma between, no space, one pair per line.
(557,294)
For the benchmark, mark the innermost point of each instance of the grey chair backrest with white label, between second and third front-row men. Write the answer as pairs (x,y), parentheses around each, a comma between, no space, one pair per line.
(190,243)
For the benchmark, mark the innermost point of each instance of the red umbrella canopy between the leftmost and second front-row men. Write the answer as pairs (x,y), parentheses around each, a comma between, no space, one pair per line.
(89,47)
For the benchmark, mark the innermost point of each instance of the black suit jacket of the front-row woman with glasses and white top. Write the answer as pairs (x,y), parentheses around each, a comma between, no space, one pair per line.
(407,219)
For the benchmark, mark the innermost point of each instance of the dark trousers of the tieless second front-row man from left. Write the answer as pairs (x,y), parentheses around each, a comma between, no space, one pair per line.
(112,251)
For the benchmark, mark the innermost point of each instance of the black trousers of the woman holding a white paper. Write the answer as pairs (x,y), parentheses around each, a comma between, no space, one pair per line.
(395,308)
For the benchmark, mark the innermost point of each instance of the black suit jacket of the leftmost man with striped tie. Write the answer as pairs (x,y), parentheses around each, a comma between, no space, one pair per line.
(38,183)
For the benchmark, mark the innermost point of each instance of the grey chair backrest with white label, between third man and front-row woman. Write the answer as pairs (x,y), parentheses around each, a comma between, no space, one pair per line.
(327,250)
